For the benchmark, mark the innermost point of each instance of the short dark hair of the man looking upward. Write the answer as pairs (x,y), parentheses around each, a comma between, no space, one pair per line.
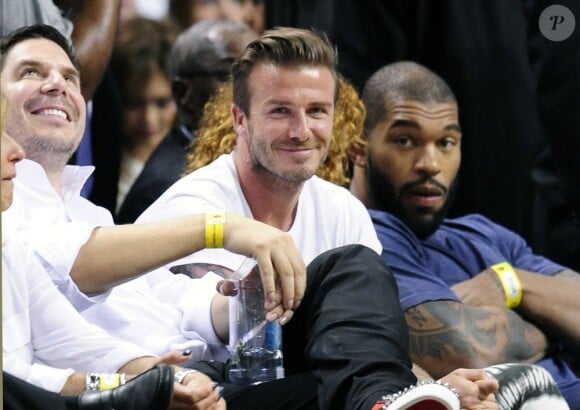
(37,31)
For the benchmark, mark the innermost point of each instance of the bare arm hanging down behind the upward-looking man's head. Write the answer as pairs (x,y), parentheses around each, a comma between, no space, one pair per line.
(95,26)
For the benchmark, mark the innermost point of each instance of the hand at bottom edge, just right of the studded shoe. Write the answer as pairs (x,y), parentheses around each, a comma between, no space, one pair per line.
(474,387)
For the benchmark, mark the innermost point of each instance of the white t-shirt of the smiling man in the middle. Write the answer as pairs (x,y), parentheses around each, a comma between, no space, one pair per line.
(328,216)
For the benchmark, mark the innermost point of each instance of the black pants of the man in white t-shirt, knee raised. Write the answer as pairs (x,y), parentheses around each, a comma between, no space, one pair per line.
(345,347)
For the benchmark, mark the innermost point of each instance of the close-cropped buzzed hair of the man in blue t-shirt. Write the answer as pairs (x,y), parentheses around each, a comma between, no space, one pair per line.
(402,80)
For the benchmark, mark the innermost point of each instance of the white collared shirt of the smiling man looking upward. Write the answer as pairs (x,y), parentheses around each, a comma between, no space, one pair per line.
(165,312)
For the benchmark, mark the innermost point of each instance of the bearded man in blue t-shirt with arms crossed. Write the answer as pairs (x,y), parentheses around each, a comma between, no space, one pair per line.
(473,292)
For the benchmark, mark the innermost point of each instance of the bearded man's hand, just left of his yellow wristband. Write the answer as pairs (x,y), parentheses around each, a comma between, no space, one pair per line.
(483,289)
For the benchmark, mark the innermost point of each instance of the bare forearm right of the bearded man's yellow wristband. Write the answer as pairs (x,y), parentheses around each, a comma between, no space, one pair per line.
(553,303)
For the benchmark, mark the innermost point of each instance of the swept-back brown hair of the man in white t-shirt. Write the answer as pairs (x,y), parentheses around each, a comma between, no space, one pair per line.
(282,46)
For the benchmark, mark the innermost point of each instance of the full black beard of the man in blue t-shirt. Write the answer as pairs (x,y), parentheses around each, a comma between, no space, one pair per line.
(385,198)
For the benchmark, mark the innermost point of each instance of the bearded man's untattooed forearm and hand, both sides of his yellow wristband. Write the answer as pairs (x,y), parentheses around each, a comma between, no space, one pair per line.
(550,302)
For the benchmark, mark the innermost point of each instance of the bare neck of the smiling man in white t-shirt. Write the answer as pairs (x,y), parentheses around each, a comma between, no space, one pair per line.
(271,200)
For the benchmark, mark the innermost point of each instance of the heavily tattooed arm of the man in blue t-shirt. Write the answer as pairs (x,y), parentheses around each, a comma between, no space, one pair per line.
(445,335)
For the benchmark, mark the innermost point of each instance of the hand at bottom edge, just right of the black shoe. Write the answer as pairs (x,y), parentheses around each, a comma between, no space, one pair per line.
(198,392)
